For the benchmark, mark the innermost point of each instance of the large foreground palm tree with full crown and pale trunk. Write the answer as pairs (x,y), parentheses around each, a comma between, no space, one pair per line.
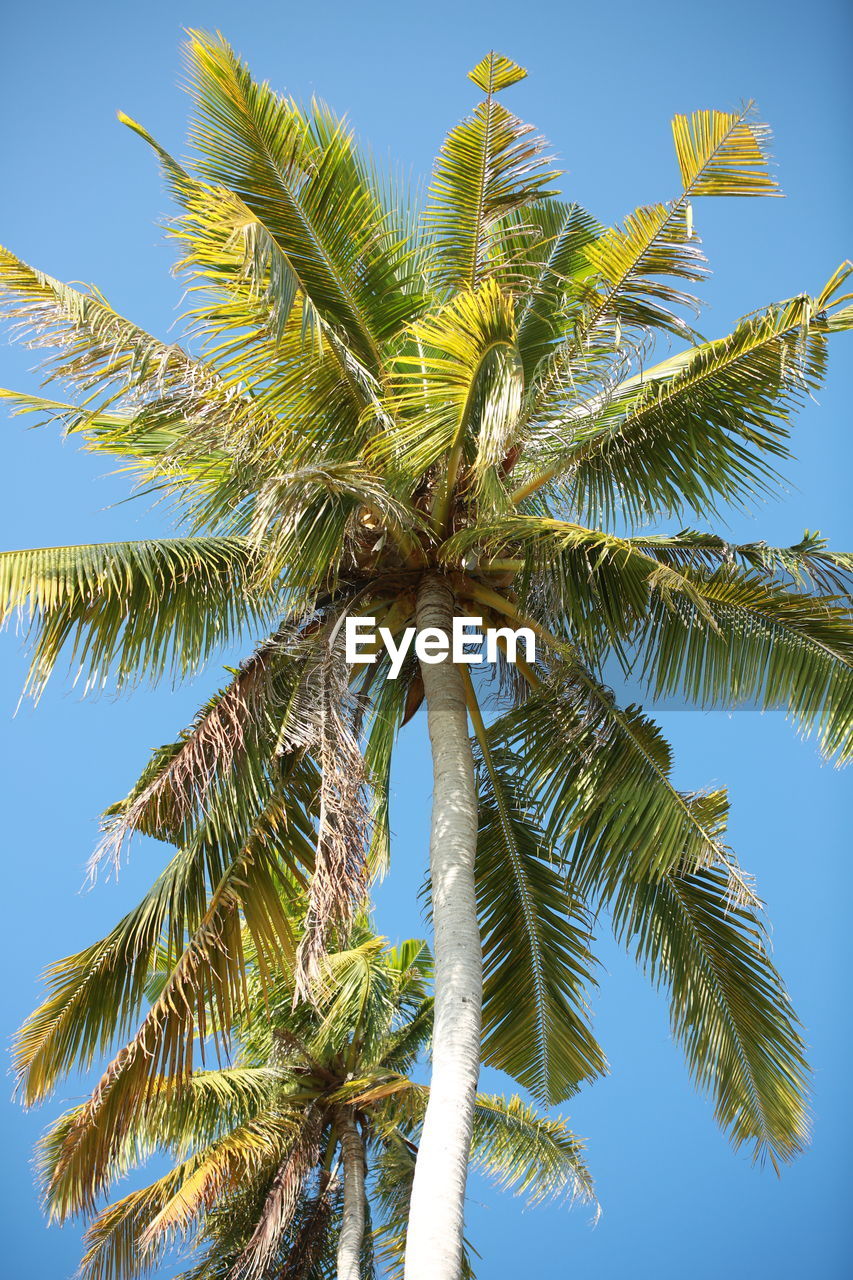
(418,415)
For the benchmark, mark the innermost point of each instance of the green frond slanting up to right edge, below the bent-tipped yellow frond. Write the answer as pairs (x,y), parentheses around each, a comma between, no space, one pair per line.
(696,429)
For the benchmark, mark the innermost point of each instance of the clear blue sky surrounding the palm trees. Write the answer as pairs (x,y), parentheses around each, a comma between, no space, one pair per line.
(81,199)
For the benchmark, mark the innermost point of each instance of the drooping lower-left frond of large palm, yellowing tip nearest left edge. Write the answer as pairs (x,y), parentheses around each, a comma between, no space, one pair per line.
(234,852)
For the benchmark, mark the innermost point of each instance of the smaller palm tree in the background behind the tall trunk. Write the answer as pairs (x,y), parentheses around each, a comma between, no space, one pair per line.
(273,1159)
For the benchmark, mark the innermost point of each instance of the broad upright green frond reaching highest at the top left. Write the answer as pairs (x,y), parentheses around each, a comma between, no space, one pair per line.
(298,173)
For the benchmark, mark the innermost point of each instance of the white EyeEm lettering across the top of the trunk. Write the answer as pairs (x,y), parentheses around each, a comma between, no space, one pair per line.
(363,641)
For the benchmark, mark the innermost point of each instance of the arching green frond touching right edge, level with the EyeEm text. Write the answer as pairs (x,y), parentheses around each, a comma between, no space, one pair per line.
(715,637)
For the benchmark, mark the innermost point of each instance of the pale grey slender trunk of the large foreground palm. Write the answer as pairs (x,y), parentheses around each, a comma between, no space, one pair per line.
(436,1219)
